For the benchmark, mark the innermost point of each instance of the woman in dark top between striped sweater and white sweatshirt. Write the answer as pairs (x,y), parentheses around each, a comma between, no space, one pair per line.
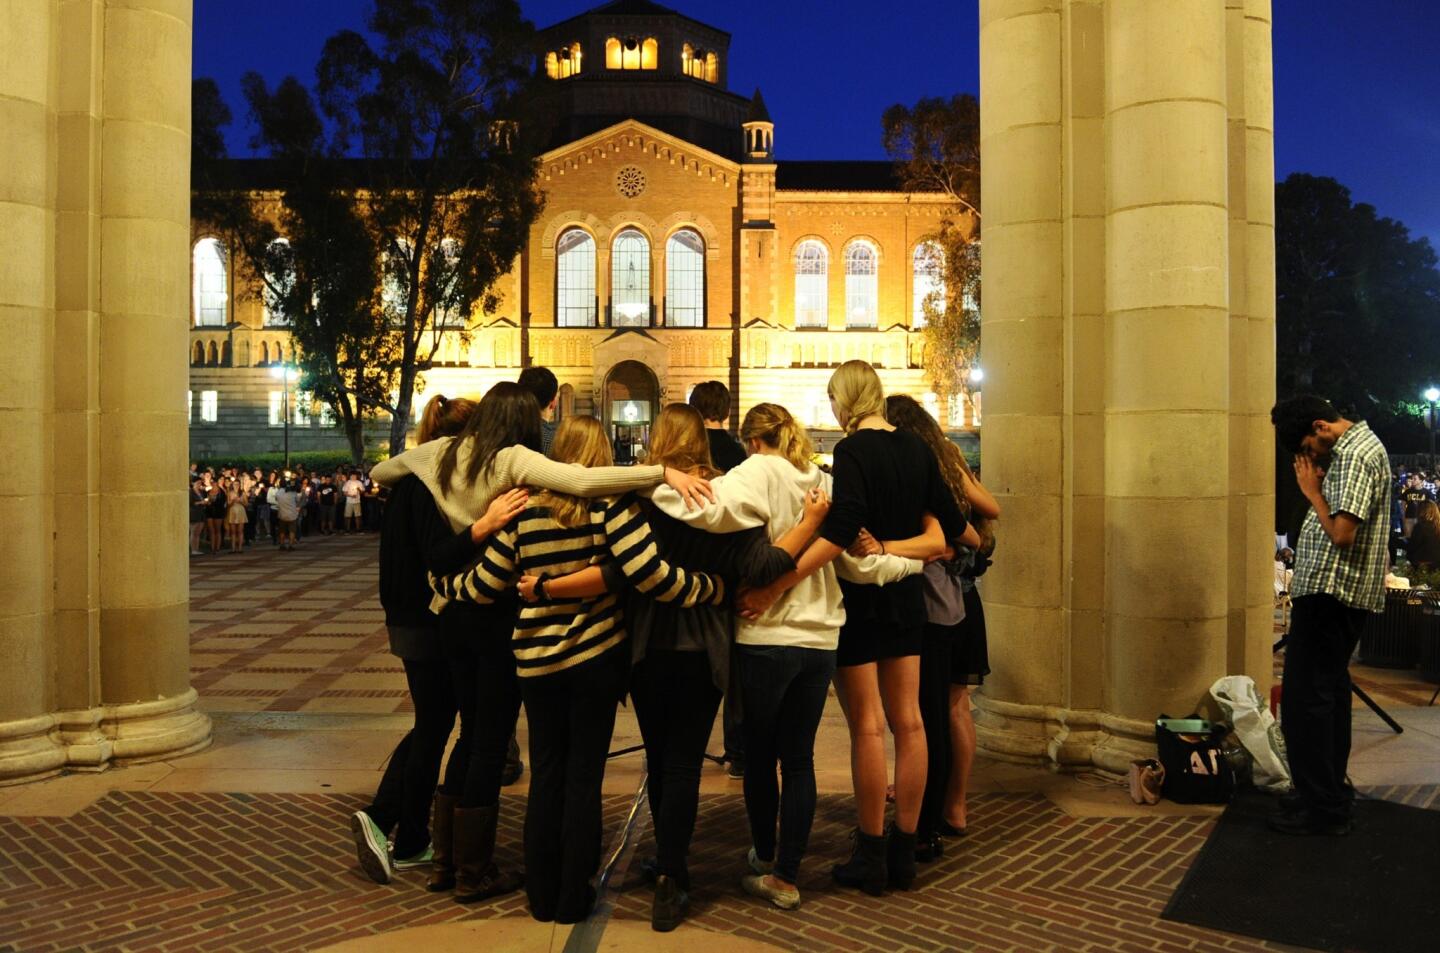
(682,659)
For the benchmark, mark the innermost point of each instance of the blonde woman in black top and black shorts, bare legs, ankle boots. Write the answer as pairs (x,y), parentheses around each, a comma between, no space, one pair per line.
(889,483)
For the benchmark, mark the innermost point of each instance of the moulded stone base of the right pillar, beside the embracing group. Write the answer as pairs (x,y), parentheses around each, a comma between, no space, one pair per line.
(1061,739)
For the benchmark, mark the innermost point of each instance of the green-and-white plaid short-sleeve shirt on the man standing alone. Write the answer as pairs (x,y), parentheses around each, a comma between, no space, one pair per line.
(1357,483)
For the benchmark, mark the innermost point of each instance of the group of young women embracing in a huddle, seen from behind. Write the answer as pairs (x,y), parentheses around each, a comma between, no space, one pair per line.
(565,584)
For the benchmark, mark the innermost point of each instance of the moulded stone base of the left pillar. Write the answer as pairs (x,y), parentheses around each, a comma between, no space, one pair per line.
(94,739)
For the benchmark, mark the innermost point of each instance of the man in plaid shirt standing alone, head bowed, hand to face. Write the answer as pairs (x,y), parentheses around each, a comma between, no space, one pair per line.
(1340,579)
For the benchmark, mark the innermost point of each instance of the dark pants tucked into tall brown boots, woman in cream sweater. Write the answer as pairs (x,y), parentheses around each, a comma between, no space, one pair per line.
(483,670)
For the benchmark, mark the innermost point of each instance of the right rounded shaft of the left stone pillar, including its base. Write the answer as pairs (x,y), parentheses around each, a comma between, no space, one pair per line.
(143,338)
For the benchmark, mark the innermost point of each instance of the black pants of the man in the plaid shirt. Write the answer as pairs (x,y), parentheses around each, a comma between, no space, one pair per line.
(1315,715)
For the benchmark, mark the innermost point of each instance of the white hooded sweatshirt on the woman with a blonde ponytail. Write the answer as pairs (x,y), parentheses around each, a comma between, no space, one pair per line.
(767,490)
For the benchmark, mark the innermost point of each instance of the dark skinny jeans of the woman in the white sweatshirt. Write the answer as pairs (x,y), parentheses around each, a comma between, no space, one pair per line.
(784,692)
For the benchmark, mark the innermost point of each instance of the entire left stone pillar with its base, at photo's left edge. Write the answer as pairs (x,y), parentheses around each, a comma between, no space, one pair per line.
(94,289)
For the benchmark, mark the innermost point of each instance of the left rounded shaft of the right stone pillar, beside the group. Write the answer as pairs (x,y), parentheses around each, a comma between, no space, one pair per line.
(1025,447)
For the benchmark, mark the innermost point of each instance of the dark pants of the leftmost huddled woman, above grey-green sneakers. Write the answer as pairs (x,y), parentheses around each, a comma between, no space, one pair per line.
(408,785)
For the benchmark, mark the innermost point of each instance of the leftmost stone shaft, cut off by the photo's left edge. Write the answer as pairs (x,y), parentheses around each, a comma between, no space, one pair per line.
(28,87)
